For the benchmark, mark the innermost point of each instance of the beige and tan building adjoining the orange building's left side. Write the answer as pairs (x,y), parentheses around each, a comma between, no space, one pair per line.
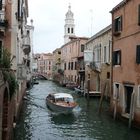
(98,60)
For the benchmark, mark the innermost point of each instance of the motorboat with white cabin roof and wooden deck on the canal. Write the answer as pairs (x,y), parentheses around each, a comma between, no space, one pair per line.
(61,102)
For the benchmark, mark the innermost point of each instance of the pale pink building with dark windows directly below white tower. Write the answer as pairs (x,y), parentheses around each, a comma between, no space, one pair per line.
(70,53)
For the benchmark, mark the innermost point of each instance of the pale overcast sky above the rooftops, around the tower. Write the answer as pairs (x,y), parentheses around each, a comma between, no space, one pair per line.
(90,16)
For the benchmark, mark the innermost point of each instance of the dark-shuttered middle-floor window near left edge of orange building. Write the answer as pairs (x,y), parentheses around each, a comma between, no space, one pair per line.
(117,57)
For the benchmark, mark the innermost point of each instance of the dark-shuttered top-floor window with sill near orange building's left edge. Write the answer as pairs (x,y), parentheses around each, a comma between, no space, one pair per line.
(118,24)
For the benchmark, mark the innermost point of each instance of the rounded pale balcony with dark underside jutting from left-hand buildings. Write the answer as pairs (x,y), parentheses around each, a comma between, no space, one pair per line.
(26,45)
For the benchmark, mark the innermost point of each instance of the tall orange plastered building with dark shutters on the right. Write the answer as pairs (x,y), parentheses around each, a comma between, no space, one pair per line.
(126,59)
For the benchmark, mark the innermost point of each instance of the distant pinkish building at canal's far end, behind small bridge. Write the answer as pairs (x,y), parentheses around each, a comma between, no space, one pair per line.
(45,62)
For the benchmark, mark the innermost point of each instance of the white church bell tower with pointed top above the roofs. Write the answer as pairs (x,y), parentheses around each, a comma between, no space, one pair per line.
(69,28)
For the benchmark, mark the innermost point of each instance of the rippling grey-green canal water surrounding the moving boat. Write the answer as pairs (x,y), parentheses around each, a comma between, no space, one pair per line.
(37,122)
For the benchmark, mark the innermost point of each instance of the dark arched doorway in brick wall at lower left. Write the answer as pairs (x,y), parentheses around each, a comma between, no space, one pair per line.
(5,115)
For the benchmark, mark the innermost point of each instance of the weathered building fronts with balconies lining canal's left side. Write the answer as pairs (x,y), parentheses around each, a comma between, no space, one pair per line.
(14,47)
